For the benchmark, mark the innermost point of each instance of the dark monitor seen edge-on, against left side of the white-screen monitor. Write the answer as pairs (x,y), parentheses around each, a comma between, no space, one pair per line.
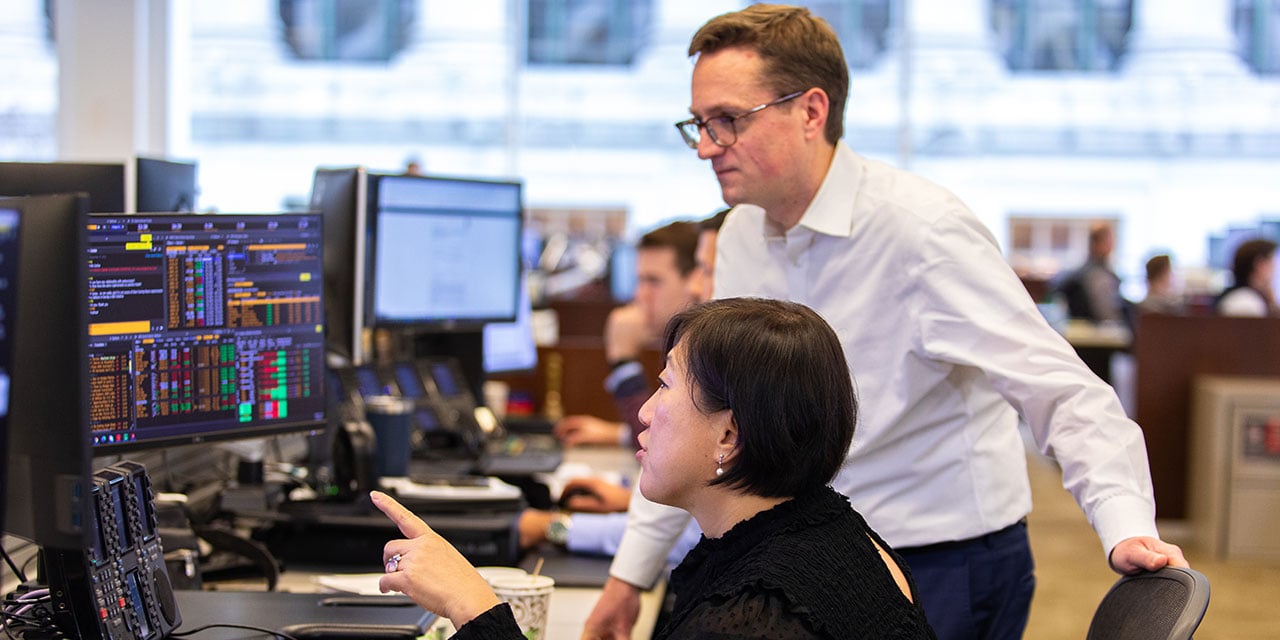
(340,196)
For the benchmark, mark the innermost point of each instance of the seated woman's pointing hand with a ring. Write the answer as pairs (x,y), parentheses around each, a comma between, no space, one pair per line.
(429,570)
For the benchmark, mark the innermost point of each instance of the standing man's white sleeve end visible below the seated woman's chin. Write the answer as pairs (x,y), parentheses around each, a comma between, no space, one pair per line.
(652,531)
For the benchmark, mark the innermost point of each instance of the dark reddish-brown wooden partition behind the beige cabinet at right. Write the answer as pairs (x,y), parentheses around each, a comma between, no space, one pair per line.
(1171,353)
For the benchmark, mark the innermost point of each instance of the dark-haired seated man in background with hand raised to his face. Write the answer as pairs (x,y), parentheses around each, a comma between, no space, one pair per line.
(665,269)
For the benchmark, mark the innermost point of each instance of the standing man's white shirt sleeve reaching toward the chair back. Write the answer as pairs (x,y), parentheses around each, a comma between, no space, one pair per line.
(976,313)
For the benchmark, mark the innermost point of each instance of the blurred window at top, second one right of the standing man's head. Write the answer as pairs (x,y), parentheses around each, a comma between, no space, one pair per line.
(1062,35)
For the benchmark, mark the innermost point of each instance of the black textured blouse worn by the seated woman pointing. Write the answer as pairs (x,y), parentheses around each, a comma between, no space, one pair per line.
(806,569)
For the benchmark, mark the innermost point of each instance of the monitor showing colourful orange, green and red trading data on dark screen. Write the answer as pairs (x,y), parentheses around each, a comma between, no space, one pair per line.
(203,328)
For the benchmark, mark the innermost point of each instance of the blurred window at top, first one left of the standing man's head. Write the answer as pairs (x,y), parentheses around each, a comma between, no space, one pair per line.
(588,31)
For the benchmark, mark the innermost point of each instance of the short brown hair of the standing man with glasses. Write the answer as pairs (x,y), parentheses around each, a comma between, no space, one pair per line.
(799,51)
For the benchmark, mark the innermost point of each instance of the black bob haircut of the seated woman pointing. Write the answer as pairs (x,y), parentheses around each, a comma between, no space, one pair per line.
(780,369)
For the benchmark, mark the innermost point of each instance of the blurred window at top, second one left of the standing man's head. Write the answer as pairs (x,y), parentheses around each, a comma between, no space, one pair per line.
(348,30)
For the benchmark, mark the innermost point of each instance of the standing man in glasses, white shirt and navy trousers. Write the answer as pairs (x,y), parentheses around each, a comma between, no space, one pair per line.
(944,342)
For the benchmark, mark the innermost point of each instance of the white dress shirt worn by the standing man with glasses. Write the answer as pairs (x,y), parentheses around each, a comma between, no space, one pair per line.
(947,349)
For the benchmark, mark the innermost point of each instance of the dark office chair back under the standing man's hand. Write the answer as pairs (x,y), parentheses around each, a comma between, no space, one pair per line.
(1165,605)
